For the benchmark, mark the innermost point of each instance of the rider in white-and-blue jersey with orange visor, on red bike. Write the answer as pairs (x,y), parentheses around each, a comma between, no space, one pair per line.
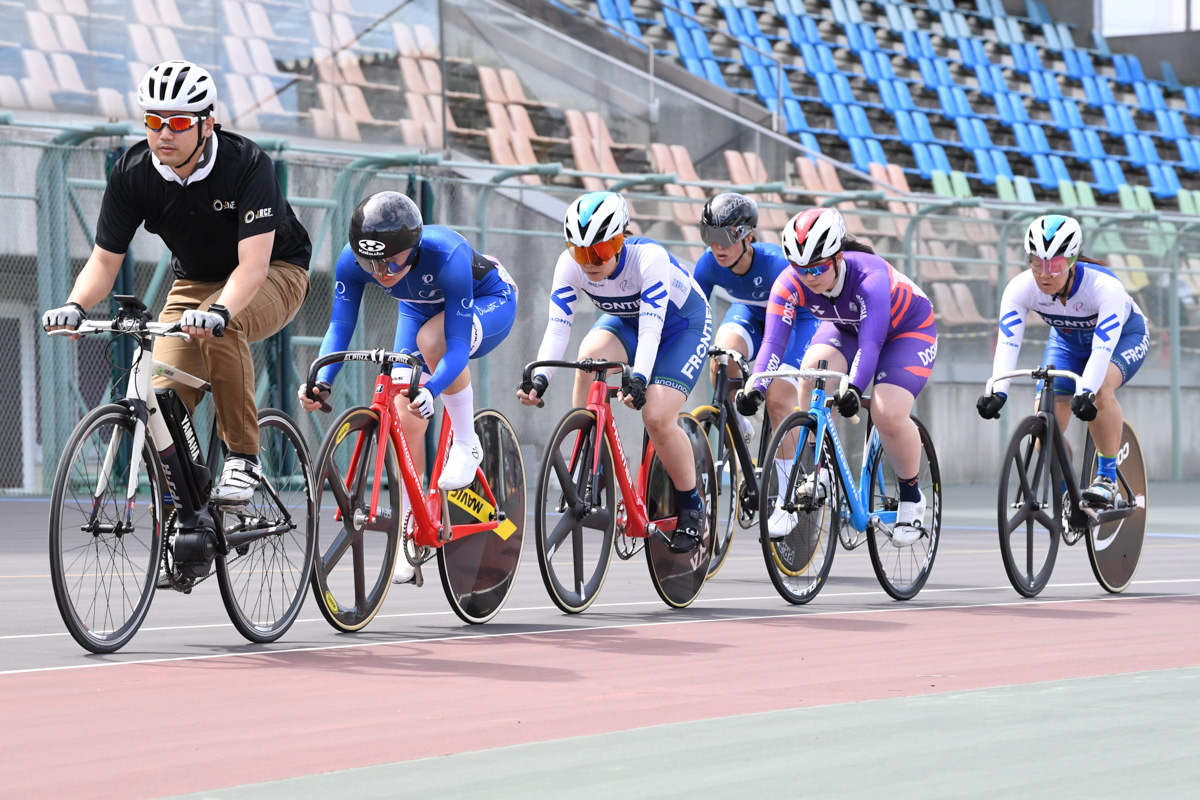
(657,320)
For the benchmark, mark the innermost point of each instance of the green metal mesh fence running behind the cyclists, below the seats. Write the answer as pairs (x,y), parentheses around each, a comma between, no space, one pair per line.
(962,252)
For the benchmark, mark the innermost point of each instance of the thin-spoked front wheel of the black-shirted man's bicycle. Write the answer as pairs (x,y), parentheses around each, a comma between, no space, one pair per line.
(105,548)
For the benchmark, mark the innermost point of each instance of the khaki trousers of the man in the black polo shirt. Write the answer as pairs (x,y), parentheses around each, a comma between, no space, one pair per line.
(225,362)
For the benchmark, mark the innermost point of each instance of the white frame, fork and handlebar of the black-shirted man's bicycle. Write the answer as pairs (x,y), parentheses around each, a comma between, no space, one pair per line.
(140,393)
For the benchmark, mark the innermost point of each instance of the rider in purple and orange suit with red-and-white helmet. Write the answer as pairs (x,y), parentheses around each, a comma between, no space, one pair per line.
(877,326)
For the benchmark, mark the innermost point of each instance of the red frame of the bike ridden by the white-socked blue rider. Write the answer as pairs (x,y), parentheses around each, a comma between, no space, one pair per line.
(431,528)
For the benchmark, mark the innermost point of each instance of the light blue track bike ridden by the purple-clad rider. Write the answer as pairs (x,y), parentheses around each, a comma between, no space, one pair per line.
(826,504)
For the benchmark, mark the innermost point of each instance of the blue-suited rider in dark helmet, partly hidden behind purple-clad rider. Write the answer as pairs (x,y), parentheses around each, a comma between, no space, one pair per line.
(746,270)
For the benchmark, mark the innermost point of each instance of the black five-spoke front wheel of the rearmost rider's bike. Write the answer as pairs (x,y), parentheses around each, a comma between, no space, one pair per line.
(1030,508)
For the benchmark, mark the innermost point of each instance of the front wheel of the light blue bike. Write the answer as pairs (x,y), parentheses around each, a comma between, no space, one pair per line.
(800,562)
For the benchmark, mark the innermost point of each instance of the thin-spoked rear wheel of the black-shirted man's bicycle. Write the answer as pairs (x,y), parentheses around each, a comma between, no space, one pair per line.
(263,582)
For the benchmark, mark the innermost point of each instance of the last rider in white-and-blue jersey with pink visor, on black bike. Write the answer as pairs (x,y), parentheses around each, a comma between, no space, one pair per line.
(1096,330)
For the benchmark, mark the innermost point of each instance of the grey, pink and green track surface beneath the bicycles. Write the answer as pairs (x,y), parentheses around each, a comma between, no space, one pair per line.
(969,690)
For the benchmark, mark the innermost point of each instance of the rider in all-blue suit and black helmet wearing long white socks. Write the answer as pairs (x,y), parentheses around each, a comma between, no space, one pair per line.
(454,305)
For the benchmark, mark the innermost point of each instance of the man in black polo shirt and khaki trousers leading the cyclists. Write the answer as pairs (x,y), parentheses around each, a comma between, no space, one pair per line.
(239,255)
